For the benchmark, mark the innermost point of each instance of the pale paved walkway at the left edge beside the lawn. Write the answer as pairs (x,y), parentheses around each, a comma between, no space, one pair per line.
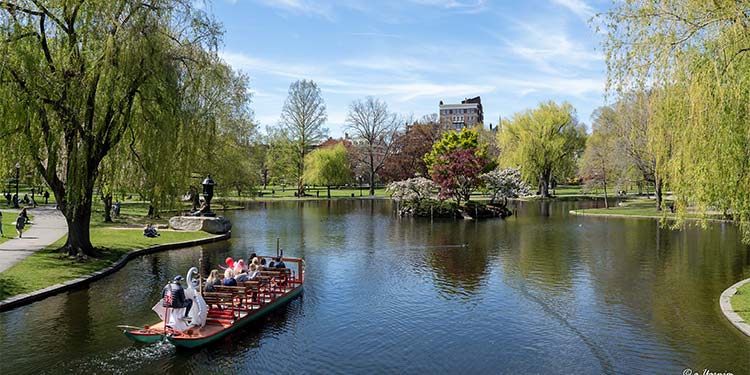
(48,226)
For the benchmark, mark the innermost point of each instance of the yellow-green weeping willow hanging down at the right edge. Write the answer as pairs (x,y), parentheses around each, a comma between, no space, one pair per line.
(695,55)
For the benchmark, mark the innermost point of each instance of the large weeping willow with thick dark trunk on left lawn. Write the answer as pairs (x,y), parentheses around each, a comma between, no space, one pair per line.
(75,76)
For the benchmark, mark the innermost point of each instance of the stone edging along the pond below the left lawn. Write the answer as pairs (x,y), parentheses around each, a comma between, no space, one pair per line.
(38,295)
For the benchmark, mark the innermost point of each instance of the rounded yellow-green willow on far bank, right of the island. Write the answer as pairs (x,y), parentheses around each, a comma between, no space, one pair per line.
(544,142)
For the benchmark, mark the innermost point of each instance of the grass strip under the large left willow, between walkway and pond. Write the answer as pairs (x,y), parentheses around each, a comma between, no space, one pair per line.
(48,267)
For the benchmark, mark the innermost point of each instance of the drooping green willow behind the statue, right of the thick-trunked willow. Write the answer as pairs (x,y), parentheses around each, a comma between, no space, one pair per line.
(209,131)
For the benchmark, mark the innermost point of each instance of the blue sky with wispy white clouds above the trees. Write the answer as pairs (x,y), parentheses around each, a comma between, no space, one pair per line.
(414,53)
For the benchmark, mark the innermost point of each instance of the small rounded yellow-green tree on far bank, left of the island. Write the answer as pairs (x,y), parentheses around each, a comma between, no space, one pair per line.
(328,166)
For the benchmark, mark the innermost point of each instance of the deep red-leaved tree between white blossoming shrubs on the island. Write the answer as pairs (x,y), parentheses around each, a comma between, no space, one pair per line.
(457,172)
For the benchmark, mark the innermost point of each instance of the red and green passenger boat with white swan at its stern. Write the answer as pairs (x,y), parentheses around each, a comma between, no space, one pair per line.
(216,314)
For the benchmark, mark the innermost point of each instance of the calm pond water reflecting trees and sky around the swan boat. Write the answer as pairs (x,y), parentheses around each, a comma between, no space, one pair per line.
(540,292)
